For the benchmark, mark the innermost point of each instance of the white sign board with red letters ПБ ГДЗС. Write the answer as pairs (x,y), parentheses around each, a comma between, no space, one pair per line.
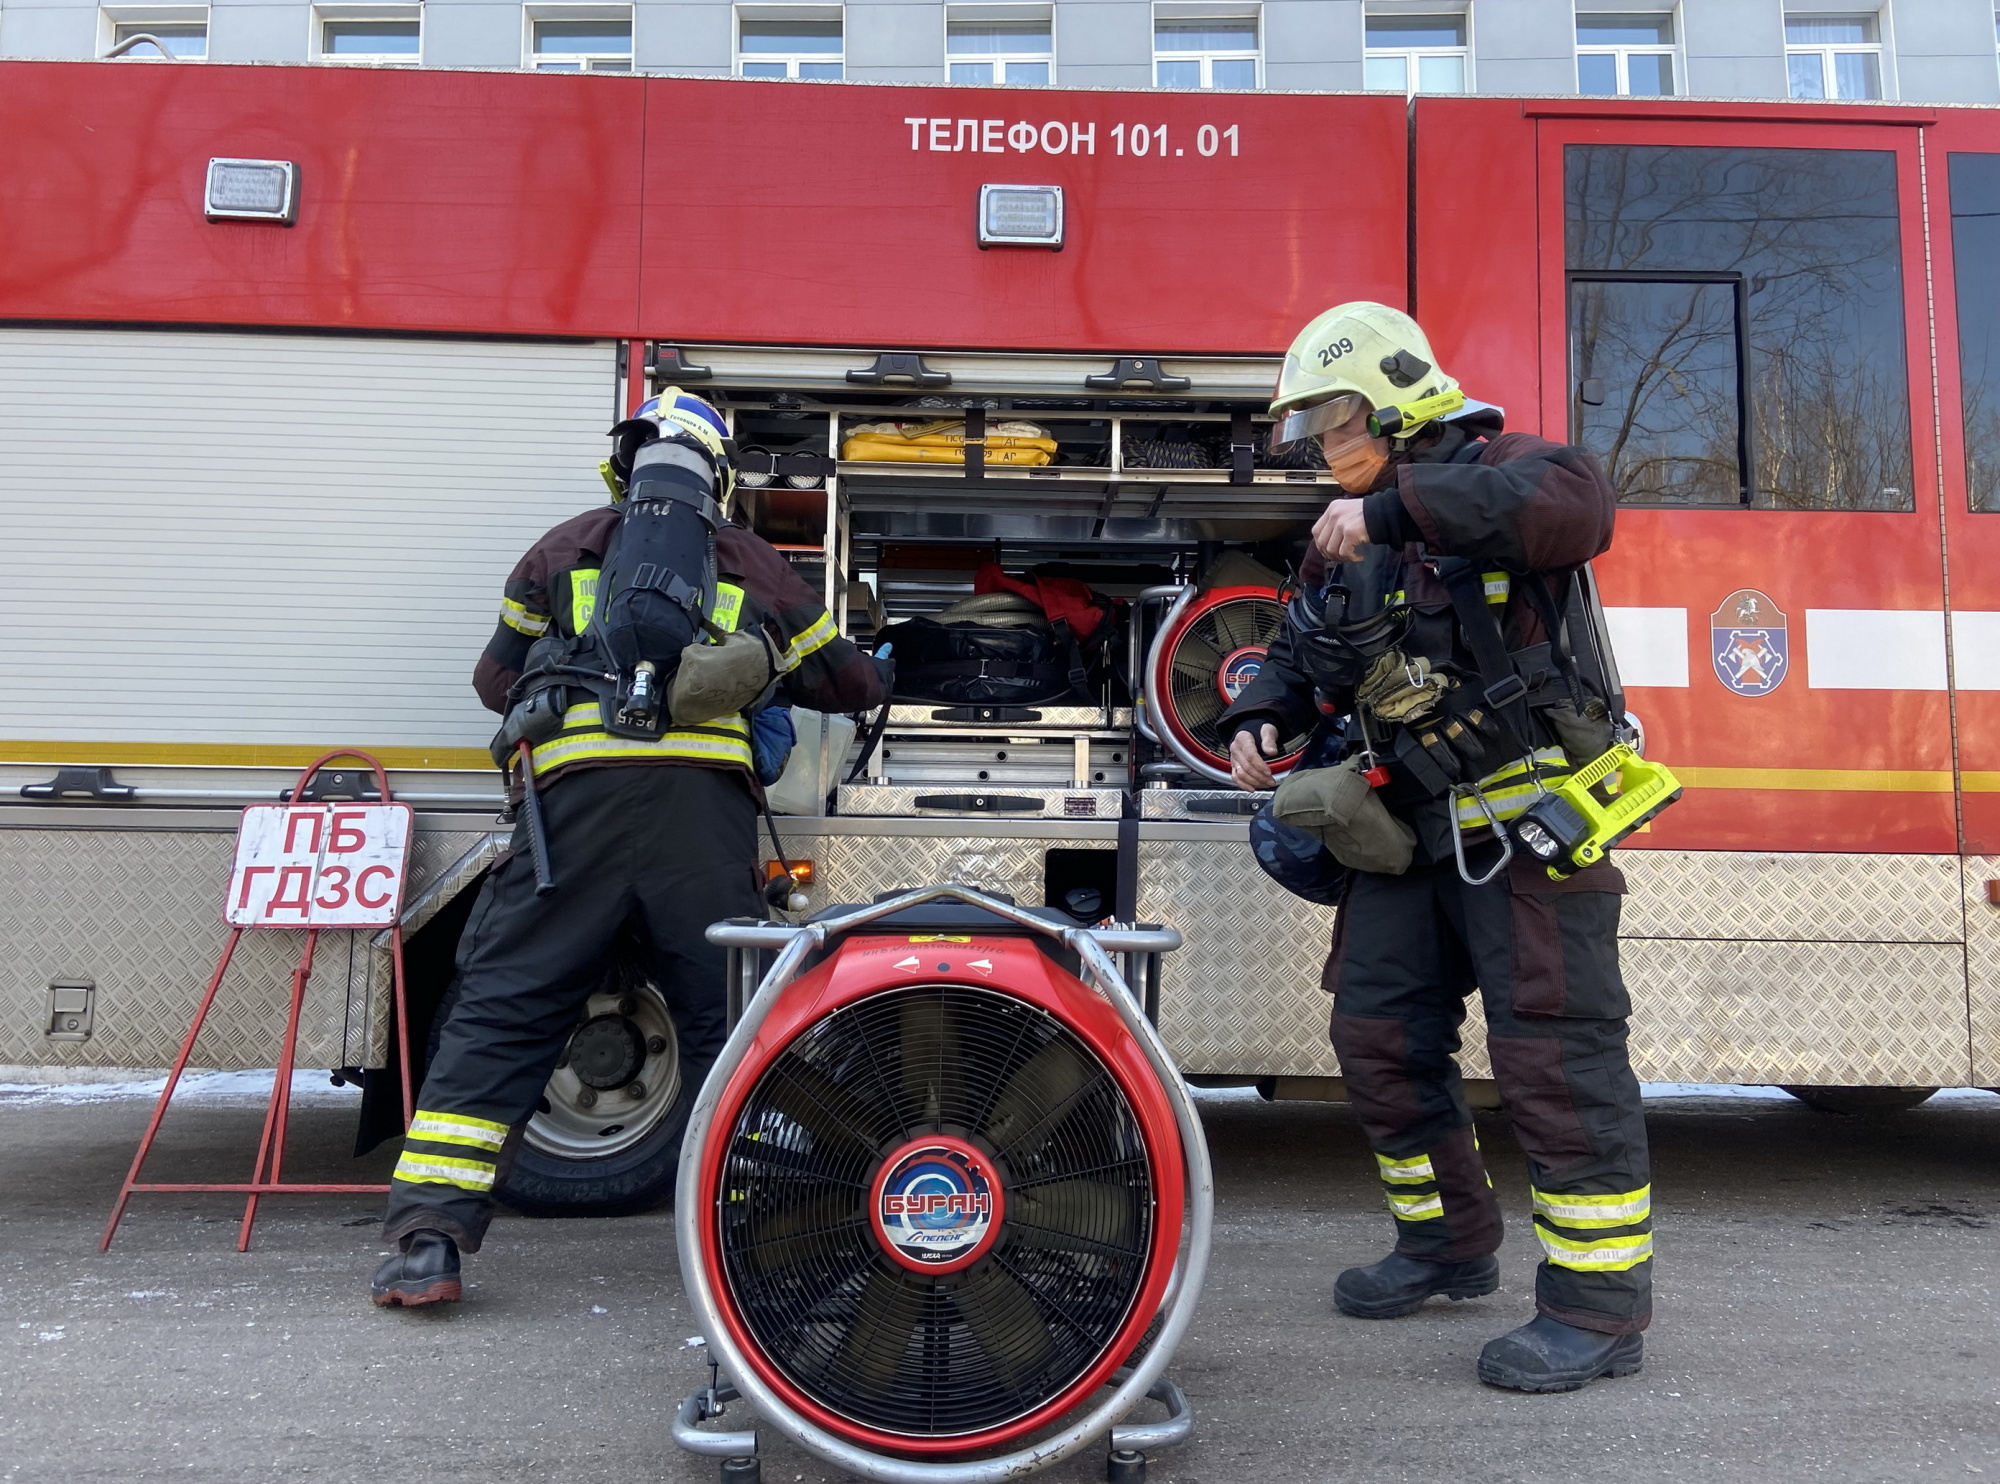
(319,867)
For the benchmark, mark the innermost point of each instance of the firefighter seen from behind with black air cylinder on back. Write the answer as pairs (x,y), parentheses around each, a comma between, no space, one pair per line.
(649,807)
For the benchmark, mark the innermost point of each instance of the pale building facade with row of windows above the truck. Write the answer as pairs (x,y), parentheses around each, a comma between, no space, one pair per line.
(1921,51)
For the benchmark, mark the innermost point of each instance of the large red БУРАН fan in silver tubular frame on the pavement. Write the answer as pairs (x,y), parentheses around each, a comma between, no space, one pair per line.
(935,1193)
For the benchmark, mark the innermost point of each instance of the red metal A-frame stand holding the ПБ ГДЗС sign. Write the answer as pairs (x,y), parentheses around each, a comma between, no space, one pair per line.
(351,911)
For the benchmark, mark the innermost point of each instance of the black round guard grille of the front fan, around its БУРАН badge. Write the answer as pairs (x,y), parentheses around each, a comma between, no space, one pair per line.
(919,1355)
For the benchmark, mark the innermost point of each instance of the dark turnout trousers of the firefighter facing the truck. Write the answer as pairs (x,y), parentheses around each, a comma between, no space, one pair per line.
(657,849)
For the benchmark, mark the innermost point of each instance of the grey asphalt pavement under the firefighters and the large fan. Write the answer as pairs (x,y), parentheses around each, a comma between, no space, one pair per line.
(1829,1309)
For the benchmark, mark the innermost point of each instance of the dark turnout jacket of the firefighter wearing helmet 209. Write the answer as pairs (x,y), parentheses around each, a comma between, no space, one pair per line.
(1513,505)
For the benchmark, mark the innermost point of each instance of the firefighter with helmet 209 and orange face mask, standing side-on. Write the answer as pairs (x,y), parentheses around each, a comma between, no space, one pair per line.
(1439,645)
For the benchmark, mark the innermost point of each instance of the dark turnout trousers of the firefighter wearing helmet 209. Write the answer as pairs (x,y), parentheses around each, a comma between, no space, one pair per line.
(1545,957)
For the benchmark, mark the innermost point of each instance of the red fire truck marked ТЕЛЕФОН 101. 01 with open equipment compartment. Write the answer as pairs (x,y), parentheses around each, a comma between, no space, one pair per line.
(297,361)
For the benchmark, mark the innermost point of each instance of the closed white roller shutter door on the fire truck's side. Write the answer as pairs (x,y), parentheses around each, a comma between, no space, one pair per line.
(217,545)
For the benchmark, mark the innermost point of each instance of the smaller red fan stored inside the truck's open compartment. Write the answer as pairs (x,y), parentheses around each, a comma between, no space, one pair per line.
(1211,647)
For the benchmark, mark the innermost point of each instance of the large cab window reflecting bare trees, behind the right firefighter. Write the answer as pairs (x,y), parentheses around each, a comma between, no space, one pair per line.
(1741,299)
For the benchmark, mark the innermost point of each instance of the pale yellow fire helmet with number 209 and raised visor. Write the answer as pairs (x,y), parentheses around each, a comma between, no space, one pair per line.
(1355,357)
